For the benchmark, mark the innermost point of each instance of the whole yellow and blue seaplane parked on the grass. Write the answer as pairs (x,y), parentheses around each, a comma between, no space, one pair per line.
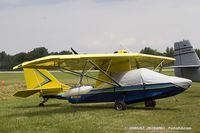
(123,78)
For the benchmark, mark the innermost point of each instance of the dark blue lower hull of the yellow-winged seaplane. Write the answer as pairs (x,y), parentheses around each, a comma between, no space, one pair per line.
(128,94)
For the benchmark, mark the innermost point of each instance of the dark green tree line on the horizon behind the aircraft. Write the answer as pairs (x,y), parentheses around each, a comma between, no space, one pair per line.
(7,62)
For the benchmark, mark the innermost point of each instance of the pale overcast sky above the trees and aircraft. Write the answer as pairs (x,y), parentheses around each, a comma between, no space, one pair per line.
(97,26)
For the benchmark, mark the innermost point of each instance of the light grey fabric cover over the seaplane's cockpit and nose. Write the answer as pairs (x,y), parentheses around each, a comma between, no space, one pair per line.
(145,76)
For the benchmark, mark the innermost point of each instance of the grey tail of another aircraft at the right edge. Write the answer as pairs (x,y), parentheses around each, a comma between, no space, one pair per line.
(187,62)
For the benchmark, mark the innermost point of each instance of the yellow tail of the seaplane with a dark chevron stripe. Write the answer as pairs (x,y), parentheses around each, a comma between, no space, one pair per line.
(40,80)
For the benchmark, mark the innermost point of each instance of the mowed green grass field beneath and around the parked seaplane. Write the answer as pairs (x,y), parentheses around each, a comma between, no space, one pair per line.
(23,115)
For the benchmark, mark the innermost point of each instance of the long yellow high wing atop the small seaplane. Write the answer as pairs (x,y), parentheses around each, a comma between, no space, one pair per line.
(108,63)
